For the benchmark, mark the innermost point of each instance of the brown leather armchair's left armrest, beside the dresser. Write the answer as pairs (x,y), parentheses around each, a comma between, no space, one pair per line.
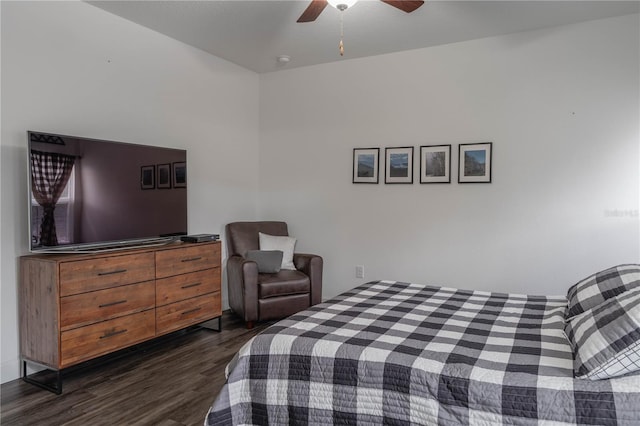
(242,280)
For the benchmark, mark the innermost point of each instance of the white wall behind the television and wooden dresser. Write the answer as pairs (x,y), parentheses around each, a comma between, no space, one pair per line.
(70,68)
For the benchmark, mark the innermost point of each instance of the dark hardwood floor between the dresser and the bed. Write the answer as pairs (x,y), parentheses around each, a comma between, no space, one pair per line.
(170,382)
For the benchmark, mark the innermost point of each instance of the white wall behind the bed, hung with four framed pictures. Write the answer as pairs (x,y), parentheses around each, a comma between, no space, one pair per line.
(560,105)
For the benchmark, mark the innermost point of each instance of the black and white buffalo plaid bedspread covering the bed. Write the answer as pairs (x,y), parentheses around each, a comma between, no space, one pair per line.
(408,354)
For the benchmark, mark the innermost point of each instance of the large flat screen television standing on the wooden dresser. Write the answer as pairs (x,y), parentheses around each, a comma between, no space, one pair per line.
(88,194)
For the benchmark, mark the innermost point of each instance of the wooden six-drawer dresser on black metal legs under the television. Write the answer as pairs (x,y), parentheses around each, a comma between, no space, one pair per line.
(76,307)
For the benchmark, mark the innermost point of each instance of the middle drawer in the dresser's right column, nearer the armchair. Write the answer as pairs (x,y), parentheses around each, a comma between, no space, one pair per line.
(180,287)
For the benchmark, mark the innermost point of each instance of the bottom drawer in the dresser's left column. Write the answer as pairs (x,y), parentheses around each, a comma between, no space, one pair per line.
(88,342)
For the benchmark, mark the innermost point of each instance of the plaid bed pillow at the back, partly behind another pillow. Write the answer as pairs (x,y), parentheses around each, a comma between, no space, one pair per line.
(603,285)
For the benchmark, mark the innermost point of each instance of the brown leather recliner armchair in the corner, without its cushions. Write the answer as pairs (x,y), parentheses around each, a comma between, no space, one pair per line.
(257,296)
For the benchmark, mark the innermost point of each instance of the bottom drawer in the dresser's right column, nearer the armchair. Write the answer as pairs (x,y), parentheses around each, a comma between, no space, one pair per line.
(187,312)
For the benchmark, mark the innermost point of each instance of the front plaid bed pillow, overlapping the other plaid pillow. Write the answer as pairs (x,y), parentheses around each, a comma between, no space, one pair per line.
(606,339)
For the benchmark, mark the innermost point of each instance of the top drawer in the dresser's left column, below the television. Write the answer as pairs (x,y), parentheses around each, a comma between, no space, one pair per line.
(104,272)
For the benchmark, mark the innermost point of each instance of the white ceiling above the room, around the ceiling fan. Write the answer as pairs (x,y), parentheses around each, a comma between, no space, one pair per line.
(253,34)
